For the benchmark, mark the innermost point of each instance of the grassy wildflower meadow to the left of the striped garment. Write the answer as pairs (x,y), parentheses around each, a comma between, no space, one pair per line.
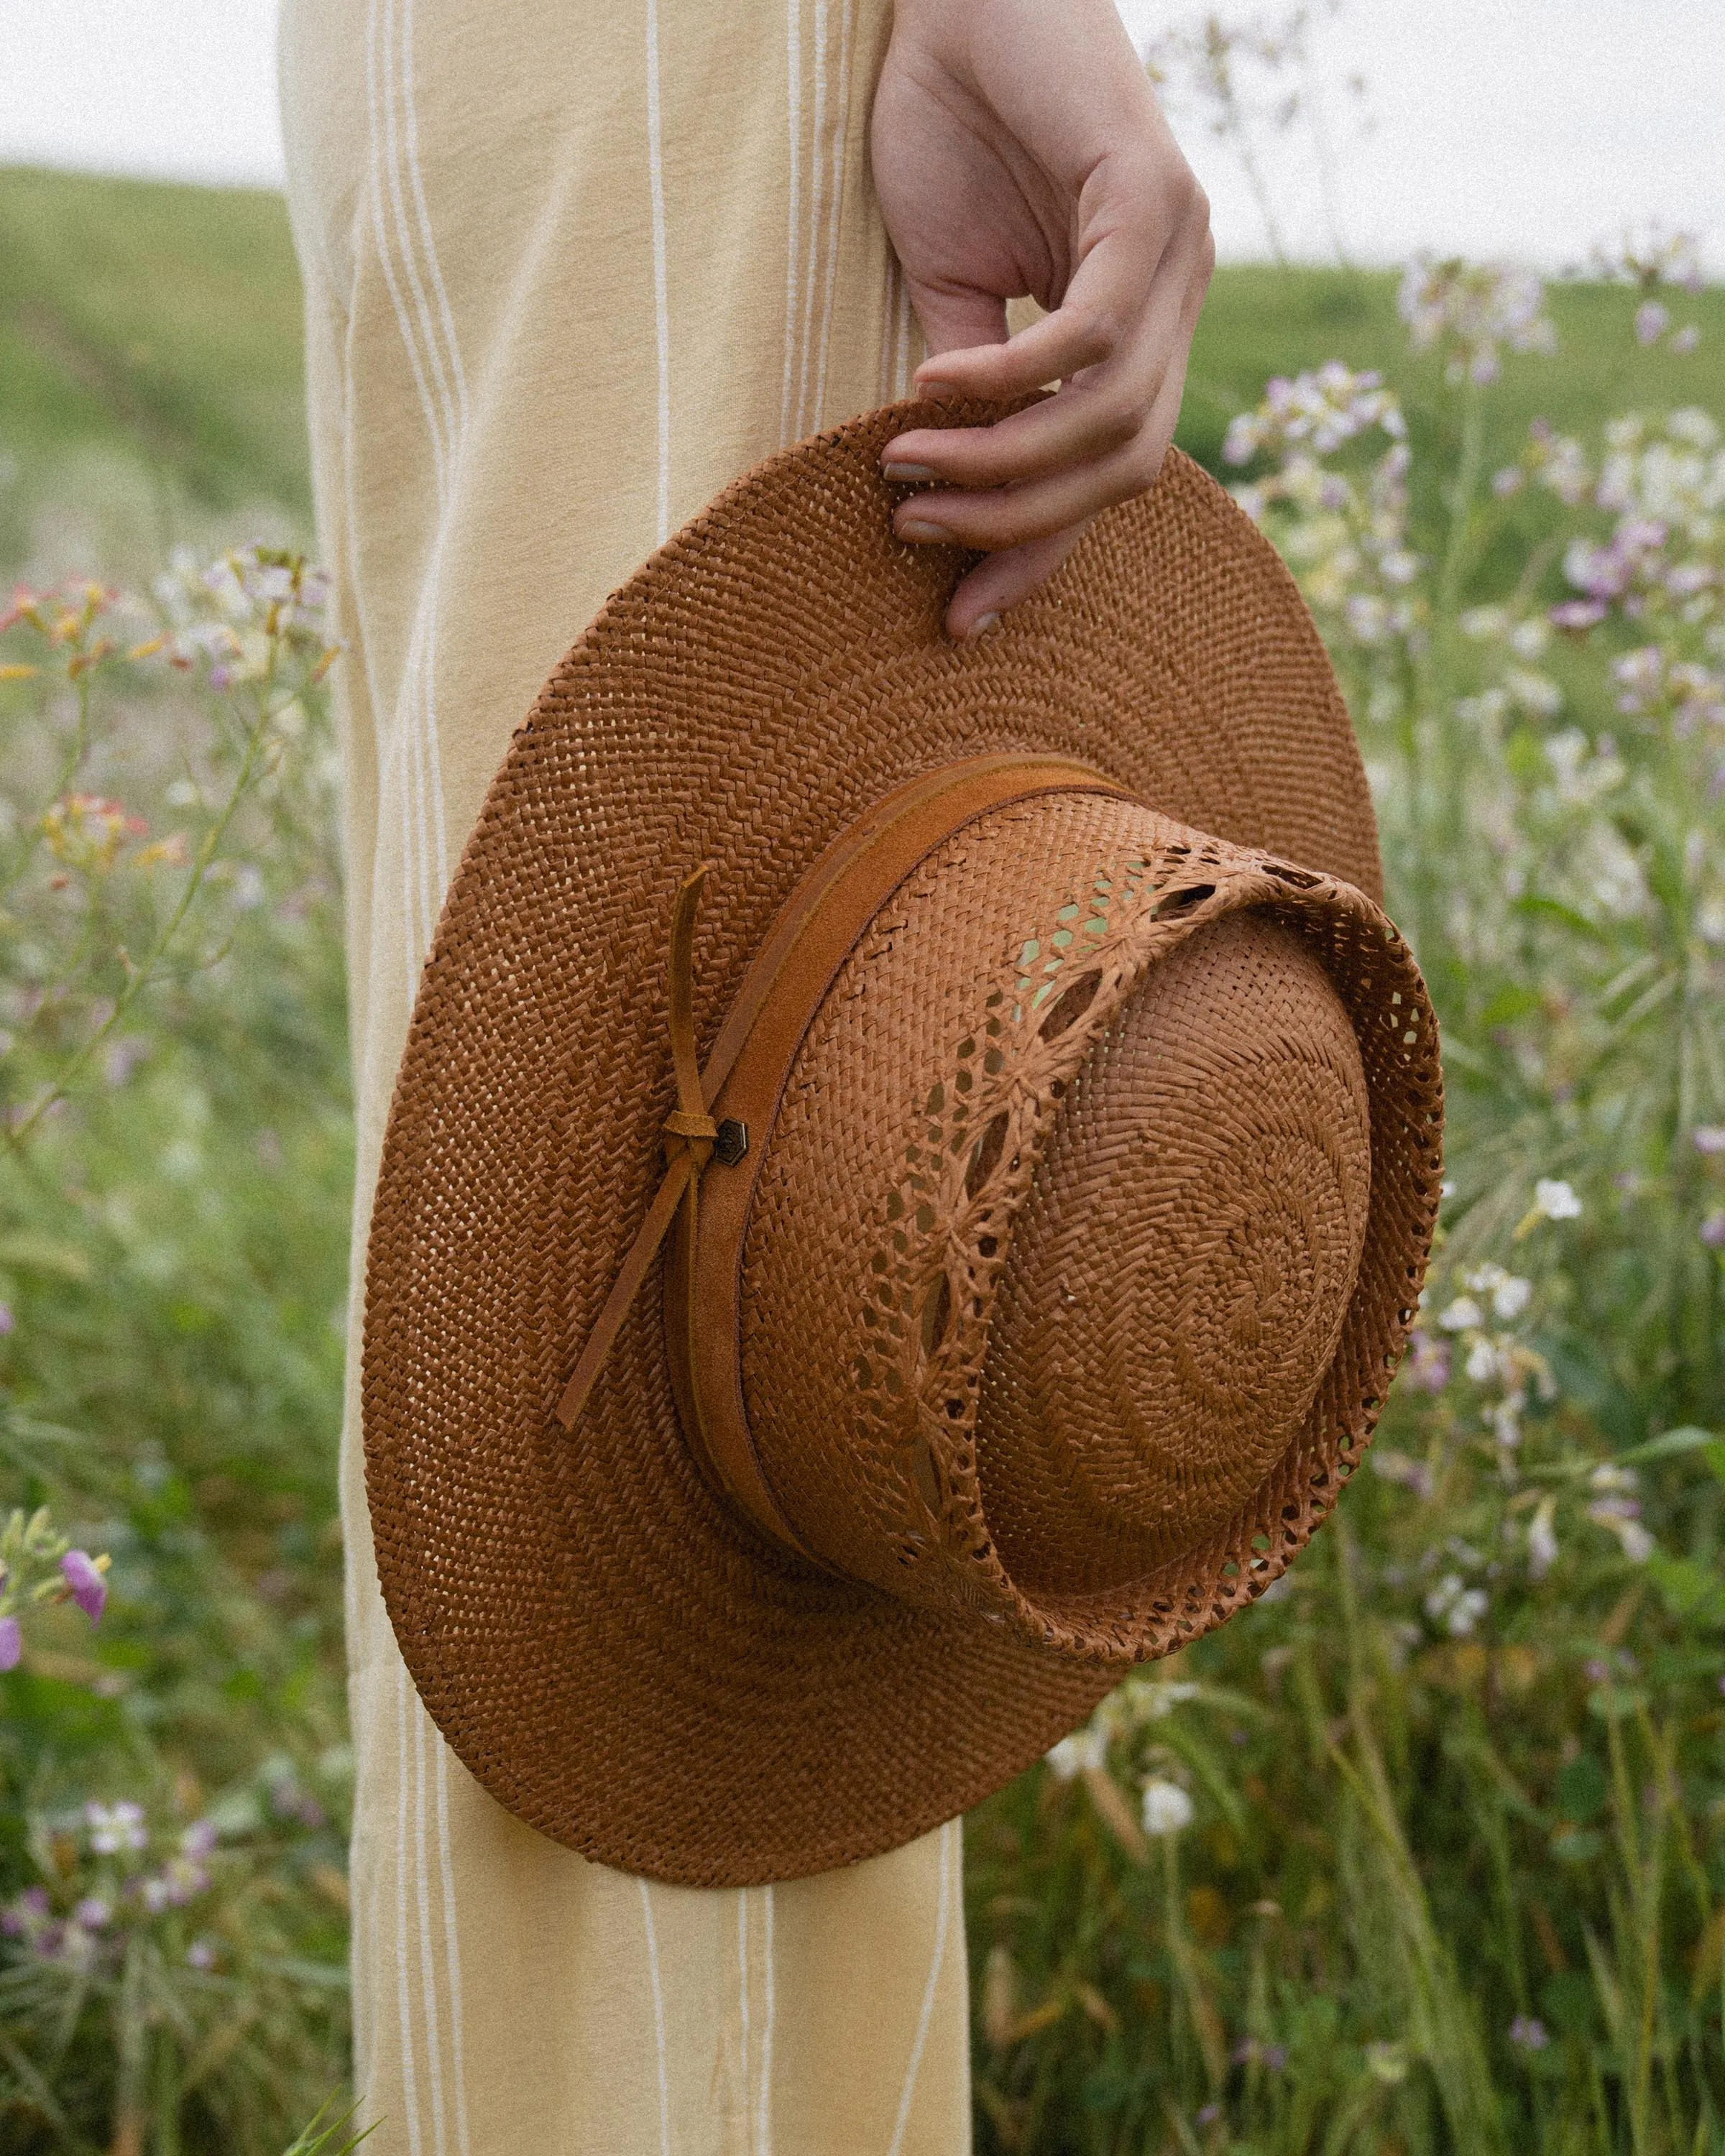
(171,1193)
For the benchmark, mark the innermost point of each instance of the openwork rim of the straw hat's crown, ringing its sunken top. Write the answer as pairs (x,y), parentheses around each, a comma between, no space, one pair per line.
(967,1174)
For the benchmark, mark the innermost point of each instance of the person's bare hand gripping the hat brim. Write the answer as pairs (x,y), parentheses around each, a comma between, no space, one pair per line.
(1021,150)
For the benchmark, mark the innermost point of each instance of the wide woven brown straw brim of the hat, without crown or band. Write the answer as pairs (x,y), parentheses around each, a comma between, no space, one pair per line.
(611,1650)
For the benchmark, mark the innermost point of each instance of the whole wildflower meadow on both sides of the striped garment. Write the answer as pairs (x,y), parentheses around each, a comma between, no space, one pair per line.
(1422,1855)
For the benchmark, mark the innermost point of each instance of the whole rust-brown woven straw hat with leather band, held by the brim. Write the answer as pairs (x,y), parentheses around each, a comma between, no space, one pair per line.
(816,1344)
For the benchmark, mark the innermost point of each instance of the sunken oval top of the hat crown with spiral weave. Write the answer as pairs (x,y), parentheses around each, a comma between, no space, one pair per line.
(1183,1264)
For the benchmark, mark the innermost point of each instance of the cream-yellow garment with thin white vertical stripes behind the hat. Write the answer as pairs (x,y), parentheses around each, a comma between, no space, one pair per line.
(570,268)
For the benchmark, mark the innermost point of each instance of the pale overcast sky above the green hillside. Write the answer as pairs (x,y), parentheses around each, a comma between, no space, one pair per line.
(1523,128)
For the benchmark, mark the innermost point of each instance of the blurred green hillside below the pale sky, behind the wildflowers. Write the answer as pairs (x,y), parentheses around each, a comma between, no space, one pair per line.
(158,329)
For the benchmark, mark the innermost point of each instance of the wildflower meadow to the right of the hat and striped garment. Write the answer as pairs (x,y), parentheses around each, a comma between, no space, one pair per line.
(1429,1853)
